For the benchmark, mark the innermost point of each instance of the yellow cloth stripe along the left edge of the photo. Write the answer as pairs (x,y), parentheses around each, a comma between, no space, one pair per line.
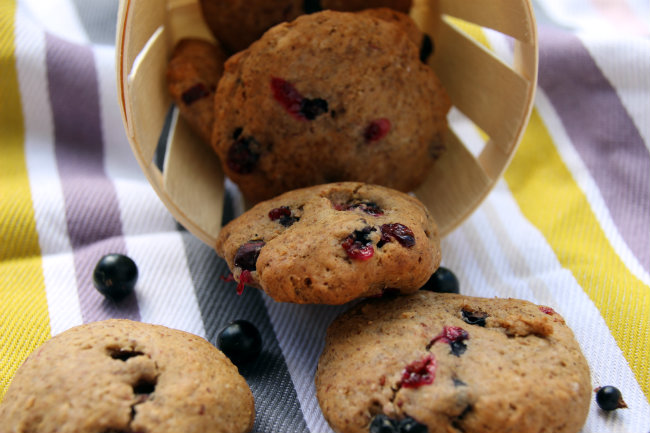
(24,320)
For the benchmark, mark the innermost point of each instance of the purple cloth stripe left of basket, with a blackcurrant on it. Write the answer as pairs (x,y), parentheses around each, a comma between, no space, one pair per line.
(91,205)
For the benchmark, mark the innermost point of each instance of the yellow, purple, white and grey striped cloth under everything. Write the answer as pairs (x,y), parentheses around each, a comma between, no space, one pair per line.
(567,226)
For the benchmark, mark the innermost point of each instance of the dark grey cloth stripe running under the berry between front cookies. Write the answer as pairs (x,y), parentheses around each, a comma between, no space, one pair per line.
(276,403)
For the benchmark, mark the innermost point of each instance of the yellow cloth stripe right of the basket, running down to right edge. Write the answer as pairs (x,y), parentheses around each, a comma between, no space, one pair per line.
(550,198)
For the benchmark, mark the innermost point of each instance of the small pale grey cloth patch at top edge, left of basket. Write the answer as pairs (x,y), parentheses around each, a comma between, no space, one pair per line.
(99,18)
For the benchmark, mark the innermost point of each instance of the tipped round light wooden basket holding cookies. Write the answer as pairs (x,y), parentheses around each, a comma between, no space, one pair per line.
(496,96)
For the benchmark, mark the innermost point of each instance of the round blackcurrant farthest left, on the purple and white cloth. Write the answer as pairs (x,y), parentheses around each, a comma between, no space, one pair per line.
(115,276)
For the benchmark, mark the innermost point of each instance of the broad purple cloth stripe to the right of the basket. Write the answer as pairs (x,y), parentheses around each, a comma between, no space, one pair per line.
(602,132)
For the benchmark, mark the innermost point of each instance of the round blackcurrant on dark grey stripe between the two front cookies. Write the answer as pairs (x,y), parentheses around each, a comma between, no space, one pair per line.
(240,341)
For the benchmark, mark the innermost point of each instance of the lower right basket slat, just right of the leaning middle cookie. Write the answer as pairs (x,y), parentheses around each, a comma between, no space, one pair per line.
(445,198)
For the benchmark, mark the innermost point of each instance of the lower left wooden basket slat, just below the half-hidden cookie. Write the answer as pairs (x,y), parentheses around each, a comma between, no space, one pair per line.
(191,172)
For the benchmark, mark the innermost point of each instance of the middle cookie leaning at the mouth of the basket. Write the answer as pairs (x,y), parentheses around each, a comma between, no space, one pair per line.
(333,243)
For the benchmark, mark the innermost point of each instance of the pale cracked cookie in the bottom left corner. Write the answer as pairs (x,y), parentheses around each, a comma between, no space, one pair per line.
(125,376)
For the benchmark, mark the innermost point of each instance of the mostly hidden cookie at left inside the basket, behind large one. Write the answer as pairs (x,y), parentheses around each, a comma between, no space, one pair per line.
(193,72)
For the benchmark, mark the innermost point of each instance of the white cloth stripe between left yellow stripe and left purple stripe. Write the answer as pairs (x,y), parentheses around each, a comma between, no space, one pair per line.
(47,195)
